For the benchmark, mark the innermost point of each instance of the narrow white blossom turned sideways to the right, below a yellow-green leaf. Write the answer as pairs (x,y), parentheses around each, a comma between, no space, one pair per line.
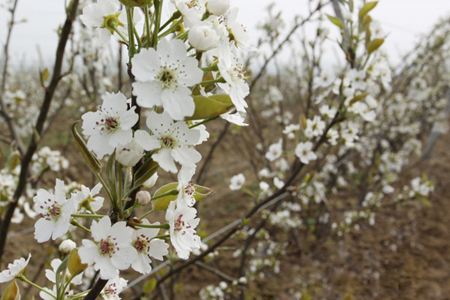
(182,221)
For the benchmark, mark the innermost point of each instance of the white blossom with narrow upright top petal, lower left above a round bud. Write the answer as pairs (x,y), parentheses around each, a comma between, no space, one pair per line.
(55,211)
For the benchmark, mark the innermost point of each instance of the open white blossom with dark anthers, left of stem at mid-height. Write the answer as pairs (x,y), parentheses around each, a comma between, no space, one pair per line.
(110,126)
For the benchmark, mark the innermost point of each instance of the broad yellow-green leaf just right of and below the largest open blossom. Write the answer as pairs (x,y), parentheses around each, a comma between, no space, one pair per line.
(211,107)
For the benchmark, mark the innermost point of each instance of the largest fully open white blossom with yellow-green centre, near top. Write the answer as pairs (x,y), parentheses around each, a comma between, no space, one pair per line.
(164,77)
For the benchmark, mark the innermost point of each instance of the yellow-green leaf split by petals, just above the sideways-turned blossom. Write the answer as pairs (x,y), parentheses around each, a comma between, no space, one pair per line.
(169,192)
